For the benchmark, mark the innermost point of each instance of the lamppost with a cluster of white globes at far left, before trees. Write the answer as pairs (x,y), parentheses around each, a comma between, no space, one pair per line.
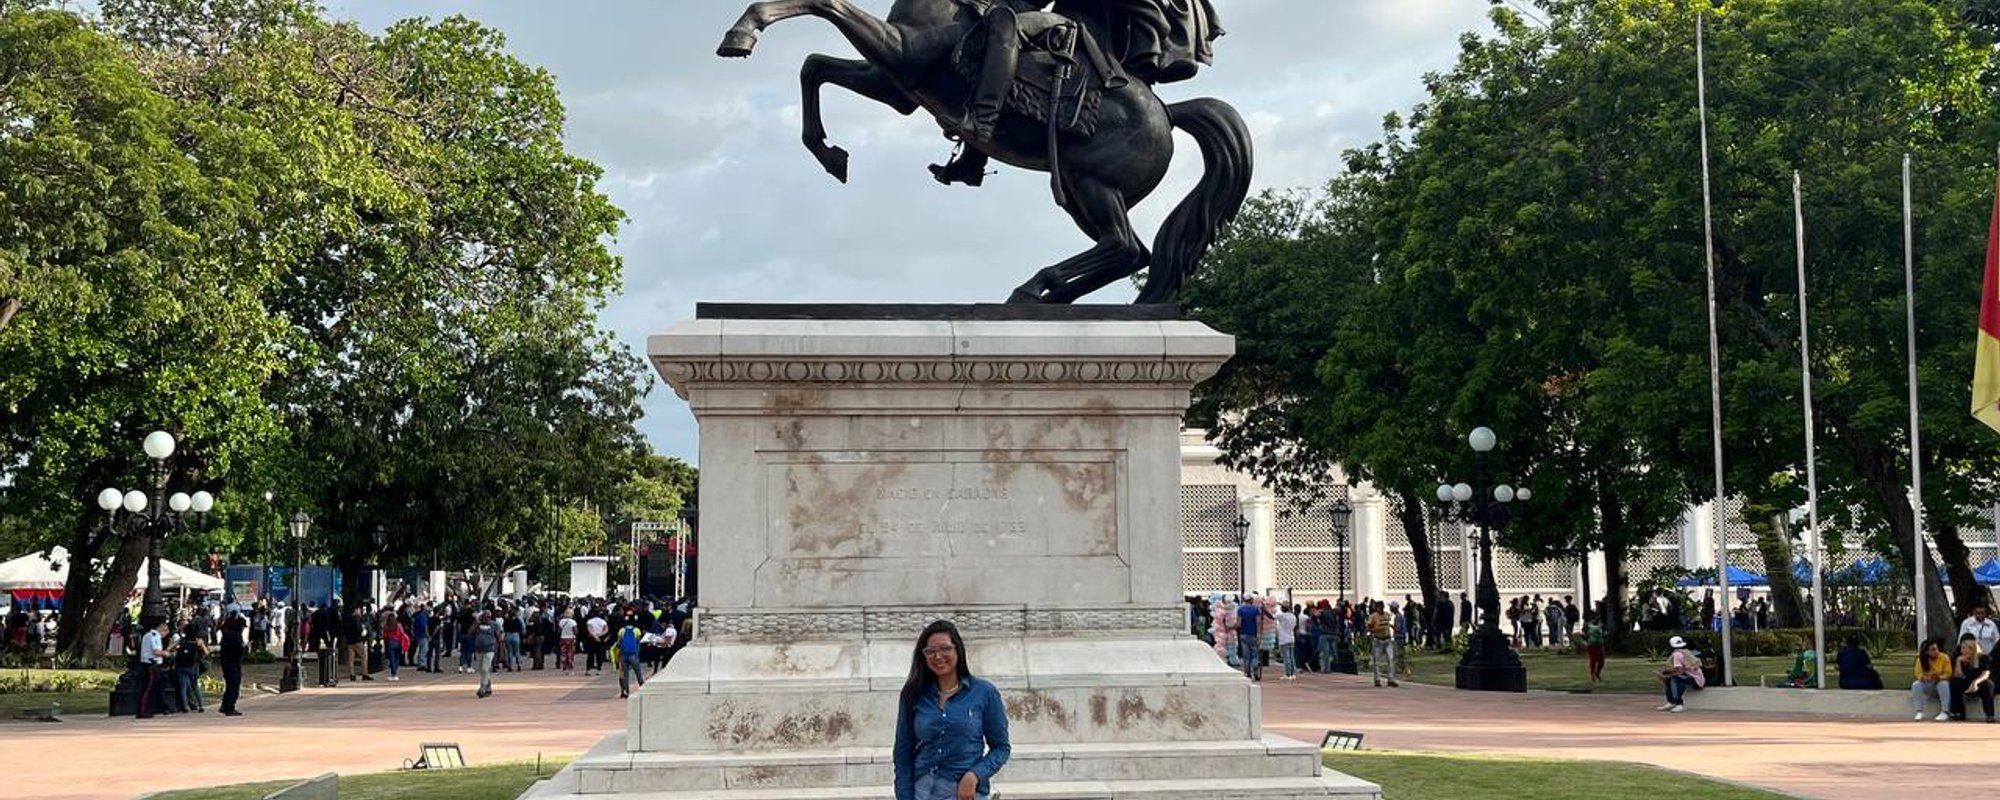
(155,519)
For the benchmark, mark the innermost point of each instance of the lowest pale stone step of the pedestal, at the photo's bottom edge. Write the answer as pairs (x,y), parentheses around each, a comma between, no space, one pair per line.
(1325,787)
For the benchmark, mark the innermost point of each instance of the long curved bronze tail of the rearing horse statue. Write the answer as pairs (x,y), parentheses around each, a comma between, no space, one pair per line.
(1191,229)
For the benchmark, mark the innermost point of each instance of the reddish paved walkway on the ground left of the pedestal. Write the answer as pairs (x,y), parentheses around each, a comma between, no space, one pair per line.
(367,727)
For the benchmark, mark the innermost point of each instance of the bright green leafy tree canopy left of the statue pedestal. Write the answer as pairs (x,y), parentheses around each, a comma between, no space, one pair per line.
(355,271)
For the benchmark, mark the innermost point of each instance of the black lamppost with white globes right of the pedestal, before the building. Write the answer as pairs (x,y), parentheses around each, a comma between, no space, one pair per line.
(1491,663)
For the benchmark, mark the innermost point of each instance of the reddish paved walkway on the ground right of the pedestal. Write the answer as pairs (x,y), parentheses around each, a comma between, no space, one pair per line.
(1819,757)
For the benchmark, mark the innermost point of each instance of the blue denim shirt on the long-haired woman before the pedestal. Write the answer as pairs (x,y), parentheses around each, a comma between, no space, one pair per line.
(967,737)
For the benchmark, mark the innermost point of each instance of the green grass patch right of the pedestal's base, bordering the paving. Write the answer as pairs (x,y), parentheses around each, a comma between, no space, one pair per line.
(1437,777)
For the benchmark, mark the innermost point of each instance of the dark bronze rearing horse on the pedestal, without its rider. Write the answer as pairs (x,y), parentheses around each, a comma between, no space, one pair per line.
(1099,171)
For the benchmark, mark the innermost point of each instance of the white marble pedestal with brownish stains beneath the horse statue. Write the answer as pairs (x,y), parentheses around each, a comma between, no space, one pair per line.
(863,479)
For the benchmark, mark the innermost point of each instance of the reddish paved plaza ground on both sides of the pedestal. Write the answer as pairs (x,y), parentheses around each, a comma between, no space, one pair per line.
(375,727)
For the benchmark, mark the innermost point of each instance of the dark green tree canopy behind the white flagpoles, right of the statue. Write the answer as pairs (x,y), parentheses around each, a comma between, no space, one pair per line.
(1525,251)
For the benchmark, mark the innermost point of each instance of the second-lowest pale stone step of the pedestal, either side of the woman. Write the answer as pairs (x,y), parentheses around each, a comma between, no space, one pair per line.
(611,771)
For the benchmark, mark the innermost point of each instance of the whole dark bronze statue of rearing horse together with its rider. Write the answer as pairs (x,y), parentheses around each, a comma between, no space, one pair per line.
(1063,91)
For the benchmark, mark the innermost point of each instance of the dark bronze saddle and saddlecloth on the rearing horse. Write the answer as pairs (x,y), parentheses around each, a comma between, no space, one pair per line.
(1061,77)
